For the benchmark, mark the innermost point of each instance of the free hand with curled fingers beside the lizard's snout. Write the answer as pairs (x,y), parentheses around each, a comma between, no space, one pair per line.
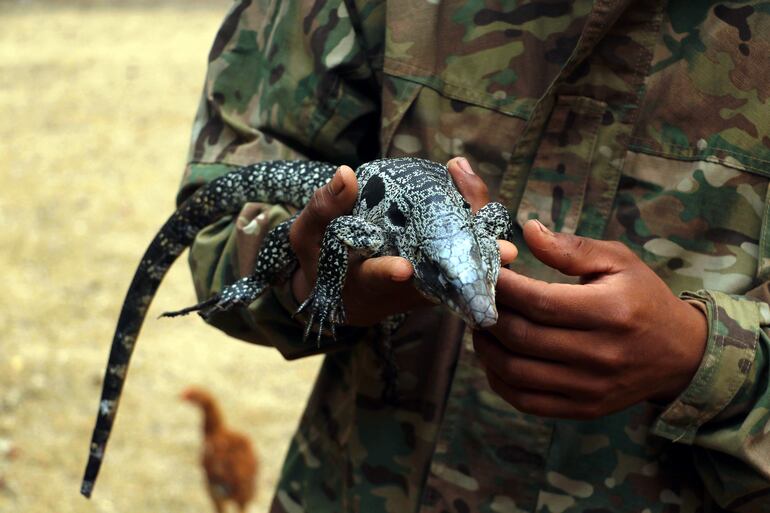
(585,350)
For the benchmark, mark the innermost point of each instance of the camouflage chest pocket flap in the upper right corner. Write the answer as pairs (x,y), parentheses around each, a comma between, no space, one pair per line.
(707,97)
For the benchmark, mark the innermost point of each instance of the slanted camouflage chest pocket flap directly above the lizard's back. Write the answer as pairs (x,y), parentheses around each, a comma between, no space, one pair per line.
(499,56)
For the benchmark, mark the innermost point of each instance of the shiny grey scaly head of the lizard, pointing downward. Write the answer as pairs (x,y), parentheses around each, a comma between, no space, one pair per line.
(451,268)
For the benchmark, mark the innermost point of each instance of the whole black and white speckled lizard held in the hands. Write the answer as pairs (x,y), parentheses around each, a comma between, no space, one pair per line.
(405,206)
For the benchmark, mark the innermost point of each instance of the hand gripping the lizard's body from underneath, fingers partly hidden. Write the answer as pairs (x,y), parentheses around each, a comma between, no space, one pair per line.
(375,288)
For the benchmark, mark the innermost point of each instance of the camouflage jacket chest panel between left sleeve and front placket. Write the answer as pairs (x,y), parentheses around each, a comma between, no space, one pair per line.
(472,93)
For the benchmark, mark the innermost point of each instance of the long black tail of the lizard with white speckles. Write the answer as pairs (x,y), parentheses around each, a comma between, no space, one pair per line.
(287,182)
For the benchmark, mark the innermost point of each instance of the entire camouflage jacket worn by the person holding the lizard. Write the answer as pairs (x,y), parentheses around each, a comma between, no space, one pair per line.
(646,122)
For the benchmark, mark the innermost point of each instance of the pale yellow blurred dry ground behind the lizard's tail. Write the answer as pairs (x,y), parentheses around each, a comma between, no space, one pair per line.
(96,104)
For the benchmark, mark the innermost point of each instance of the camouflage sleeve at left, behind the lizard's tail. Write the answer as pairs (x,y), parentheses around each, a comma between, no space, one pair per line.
(284,82)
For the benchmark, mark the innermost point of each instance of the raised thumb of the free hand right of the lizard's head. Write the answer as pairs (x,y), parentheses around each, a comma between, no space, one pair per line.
(574,255)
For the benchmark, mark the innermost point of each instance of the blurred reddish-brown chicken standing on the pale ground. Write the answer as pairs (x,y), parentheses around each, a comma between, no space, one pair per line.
(228,458)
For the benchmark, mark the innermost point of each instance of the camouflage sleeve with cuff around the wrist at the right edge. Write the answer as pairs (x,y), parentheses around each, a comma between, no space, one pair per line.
(725,412)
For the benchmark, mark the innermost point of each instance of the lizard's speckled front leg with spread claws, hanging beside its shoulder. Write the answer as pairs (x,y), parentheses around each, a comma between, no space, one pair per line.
(325,300)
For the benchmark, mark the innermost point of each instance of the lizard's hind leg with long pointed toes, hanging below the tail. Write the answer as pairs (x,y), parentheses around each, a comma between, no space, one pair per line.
(274,264)
